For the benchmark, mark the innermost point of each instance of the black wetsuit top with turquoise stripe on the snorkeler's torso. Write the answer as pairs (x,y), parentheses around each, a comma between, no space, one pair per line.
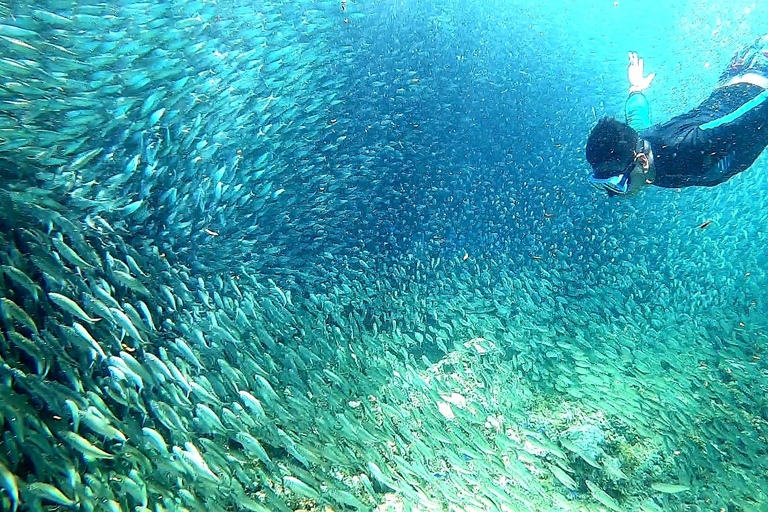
(718,139)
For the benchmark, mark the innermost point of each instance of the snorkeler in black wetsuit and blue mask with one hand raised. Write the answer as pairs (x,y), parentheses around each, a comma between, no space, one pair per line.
(720,138)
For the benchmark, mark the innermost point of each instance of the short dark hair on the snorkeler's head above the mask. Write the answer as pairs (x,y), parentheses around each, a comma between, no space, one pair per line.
(611,142)
